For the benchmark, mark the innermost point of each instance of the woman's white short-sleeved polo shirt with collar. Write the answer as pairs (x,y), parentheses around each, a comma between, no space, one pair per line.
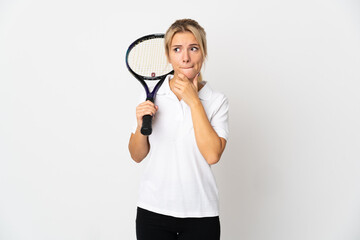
(177,180)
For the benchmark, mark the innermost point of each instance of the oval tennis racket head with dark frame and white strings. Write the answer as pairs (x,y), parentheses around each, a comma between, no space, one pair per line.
(146,58)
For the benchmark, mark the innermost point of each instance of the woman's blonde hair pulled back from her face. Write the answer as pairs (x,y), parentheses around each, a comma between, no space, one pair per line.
(186,25)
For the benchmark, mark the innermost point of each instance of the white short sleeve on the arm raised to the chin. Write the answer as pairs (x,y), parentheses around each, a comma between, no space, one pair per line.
(220,118)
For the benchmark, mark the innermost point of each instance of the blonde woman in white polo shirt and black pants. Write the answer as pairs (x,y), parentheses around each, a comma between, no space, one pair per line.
(178,195)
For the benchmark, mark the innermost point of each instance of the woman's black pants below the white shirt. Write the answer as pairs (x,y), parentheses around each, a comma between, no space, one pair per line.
(154,226)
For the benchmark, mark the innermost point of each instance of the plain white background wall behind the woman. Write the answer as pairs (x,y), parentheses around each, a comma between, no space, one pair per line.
(291,170)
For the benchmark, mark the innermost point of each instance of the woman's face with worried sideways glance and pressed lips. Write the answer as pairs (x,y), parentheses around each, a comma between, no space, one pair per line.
(185,55)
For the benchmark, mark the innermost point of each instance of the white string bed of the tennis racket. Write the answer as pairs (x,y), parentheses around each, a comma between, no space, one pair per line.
(148,58)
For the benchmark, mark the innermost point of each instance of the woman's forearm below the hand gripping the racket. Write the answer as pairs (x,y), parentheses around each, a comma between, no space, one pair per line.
(138,146)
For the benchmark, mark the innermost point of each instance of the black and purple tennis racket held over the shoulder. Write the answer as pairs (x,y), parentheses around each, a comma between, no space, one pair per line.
(146,61)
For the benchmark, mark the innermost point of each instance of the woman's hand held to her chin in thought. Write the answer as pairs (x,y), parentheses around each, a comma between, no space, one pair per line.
(186,89)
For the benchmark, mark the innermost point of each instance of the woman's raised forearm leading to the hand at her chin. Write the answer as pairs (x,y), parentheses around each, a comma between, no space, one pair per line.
(207,140)
